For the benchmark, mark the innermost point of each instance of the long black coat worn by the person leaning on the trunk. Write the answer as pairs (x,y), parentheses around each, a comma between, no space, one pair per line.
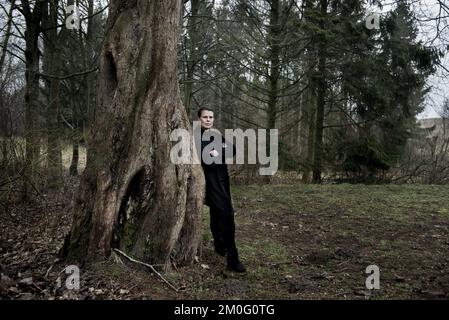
(218,193)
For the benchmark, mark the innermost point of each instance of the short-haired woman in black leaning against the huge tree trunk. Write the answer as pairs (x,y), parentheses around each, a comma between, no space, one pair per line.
(218,197)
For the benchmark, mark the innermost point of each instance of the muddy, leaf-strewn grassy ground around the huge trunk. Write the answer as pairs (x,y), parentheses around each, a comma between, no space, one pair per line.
(298,242)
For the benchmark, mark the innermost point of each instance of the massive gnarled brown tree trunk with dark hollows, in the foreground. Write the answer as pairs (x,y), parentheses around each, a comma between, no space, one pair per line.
(131,196)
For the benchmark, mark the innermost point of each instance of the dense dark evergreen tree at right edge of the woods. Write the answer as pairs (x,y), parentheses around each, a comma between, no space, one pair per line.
(386,86)
